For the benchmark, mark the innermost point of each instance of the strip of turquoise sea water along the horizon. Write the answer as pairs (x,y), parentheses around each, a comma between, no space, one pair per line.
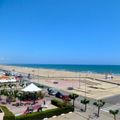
(115,69)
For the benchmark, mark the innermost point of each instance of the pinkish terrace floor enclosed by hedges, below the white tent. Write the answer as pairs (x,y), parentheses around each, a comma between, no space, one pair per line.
(20,110)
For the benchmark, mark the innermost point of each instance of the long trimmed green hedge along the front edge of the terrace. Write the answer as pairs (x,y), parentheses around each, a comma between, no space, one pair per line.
(45,114)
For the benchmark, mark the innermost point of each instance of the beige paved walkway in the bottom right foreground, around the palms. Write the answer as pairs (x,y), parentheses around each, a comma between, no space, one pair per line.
(89,115)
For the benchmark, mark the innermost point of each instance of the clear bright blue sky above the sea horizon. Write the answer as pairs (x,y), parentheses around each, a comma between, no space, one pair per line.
(60,31)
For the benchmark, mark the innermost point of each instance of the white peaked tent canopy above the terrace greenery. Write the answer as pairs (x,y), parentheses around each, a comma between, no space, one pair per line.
(31,88)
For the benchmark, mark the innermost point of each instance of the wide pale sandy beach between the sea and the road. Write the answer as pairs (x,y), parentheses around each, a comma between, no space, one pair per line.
(85,84)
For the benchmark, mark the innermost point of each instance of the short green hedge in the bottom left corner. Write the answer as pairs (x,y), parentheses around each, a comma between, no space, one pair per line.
(8,115)
